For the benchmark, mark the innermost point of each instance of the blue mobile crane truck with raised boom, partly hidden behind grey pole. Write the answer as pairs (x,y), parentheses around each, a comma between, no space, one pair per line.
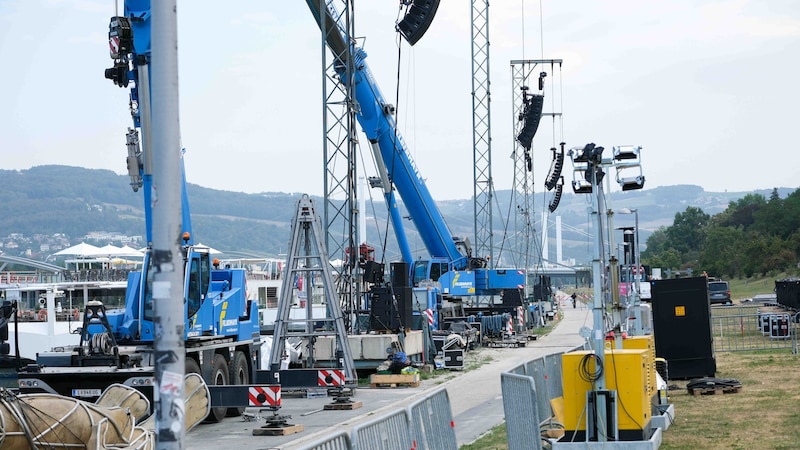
(222,333)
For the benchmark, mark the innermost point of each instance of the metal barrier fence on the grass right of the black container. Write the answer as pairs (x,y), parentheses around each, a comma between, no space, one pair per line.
(748,328)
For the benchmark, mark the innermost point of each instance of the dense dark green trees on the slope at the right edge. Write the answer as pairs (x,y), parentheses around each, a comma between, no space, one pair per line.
(753,236)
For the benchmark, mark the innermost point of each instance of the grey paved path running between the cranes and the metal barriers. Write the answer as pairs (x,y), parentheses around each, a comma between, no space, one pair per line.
(475,398)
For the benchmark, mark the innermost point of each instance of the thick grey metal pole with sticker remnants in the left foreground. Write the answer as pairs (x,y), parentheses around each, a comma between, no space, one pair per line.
(169,323)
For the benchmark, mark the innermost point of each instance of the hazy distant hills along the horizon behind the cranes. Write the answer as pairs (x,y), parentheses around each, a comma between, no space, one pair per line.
(46,200)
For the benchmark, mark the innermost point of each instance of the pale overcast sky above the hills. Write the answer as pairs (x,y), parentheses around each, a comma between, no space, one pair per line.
(708,89)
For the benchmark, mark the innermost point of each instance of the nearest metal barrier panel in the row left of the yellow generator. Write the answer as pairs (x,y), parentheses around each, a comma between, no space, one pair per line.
(521,411)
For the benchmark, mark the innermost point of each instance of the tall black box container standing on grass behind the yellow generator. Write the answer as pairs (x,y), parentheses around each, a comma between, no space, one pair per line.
(682,327)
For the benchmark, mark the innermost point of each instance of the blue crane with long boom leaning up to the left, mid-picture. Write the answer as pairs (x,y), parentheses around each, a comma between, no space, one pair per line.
(460,274)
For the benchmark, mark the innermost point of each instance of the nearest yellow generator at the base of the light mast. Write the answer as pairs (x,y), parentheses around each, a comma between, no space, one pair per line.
(627,372)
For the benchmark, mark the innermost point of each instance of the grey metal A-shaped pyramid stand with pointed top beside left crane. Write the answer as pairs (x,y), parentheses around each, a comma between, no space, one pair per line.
(308,259)
